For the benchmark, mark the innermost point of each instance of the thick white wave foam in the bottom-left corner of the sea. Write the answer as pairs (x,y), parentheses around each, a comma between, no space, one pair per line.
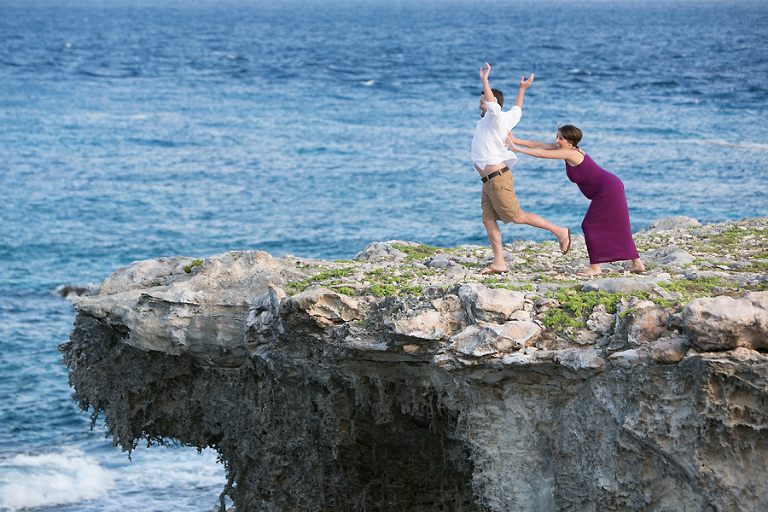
(63,478)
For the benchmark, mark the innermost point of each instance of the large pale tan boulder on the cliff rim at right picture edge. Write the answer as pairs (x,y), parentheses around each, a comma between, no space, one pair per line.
(723,323)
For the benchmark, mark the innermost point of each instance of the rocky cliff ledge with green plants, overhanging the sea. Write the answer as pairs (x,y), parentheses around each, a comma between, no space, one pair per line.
(403,380)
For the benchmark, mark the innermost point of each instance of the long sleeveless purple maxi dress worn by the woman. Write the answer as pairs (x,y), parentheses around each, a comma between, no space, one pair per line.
(606,224)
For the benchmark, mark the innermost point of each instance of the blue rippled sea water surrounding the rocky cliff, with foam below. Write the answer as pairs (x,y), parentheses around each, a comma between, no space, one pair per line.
(135,129)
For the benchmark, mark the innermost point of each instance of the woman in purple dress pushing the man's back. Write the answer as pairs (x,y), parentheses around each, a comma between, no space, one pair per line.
(606,224)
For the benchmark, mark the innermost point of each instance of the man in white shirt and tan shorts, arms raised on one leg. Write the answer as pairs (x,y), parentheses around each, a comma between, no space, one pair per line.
(492,160)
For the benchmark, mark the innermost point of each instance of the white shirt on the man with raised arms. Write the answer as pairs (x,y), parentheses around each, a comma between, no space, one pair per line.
(489,142)
